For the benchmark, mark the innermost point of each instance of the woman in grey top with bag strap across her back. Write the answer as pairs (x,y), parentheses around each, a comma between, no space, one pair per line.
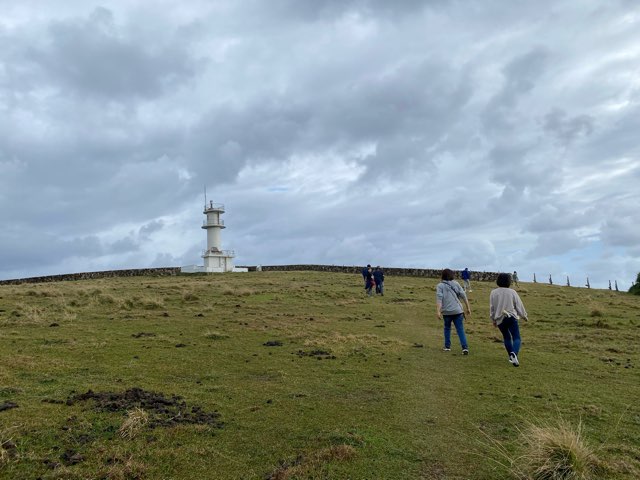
(449,295)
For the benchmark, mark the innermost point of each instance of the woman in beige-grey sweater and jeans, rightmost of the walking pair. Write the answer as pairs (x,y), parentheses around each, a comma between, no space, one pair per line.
(505,308)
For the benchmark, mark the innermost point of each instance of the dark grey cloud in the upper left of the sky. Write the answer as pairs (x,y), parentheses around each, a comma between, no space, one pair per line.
(94,58)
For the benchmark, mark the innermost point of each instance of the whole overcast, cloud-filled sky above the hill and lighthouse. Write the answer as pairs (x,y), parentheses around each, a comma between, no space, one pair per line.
(498,135)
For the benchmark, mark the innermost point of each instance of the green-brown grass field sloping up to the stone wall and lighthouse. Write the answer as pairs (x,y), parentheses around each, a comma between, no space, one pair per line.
(299,375)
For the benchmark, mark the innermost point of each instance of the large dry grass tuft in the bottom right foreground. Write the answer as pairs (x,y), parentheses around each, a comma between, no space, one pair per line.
(556,452)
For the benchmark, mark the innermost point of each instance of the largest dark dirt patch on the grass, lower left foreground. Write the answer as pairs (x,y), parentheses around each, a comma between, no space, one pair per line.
(163,411)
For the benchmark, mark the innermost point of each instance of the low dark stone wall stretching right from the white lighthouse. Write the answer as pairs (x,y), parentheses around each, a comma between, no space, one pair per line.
(403,272)
